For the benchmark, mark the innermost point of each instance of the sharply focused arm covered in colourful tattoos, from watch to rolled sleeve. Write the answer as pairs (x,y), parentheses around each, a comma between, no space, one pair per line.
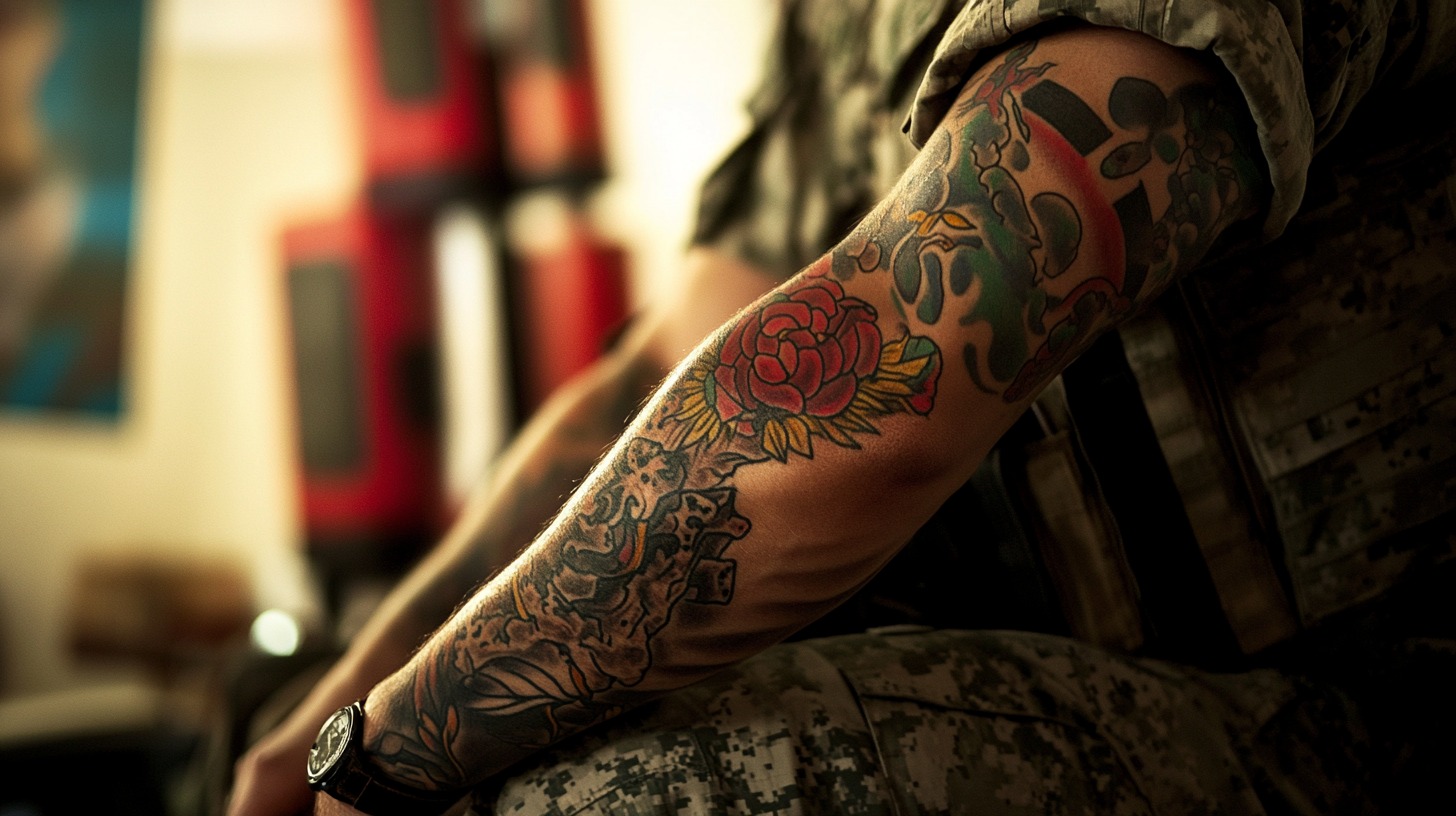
(799,448)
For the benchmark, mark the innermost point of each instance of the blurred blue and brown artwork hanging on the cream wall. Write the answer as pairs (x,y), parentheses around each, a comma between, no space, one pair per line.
(71,78)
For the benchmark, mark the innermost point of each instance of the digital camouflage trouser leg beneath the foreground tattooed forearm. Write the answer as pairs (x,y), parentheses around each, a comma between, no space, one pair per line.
(935,722)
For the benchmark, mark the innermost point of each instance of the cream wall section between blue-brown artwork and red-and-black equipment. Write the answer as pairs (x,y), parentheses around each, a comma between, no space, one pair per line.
(241,125)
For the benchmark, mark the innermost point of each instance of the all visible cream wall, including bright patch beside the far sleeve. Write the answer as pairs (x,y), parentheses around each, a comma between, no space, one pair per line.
(247,125)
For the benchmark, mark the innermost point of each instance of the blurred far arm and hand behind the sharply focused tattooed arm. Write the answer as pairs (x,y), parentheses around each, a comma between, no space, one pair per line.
(542,466)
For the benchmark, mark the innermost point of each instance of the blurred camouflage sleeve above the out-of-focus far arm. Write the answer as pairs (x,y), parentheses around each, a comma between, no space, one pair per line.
(823,146)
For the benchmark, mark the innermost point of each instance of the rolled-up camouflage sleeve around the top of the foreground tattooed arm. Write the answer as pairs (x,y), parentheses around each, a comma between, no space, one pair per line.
(1302,65)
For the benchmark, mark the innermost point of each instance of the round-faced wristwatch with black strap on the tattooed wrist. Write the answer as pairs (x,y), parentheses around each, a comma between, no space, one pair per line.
(339,767)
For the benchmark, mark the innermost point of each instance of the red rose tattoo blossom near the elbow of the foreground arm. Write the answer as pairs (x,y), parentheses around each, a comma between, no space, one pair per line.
(803,355)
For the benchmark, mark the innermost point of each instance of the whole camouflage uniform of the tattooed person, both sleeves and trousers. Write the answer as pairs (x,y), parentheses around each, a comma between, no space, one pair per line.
(1352,484)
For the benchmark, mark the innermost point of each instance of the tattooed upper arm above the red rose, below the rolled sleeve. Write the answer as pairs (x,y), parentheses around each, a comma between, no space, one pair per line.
(1074,180)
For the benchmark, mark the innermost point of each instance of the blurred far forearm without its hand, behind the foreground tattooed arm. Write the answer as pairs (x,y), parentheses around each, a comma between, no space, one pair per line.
(550,458)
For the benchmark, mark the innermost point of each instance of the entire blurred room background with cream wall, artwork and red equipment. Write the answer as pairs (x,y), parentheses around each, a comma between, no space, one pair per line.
(277,280)
